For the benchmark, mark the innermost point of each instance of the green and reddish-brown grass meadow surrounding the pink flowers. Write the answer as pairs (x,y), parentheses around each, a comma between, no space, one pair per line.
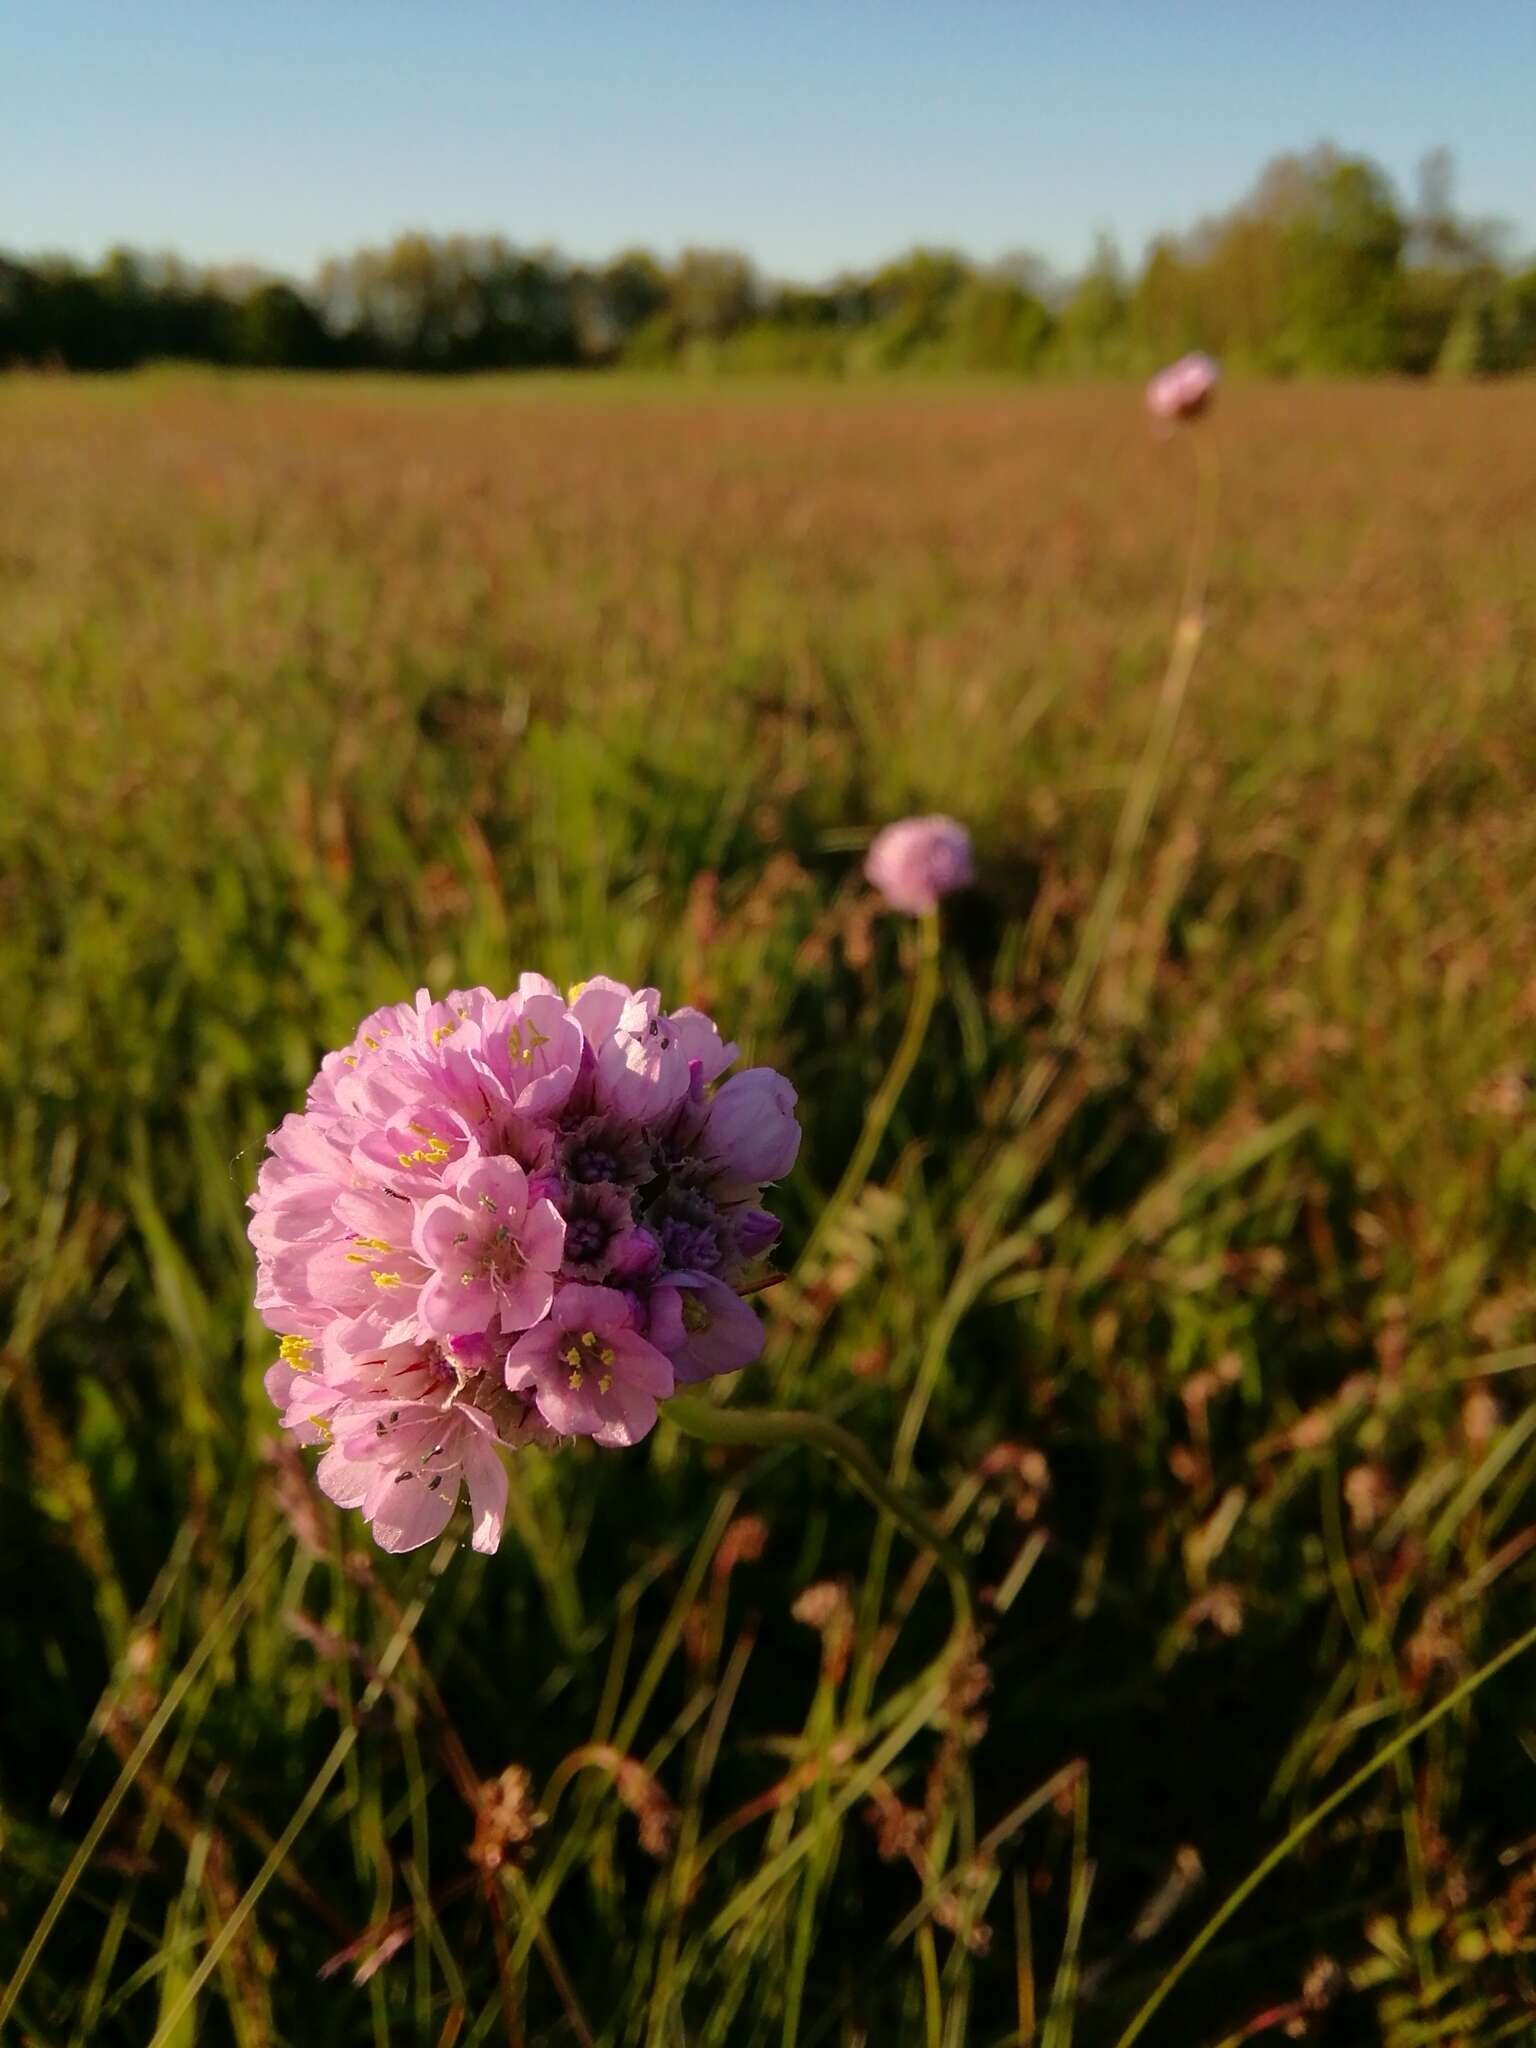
(1195,1297)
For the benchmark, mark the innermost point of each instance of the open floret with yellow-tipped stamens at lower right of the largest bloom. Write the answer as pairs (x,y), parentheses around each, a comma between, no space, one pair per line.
(589,1369)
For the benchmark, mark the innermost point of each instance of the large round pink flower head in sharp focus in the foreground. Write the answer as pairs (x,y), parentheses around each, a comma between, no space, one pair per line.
(501,1222)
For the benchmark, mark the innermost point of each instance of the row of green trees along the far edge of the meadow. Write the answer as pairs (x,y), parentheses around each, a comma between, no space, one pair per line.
(1320,269)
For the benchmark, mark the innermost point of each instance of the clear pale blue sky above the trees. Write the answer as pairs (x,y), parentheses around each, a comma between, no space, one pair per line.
(812,134)
